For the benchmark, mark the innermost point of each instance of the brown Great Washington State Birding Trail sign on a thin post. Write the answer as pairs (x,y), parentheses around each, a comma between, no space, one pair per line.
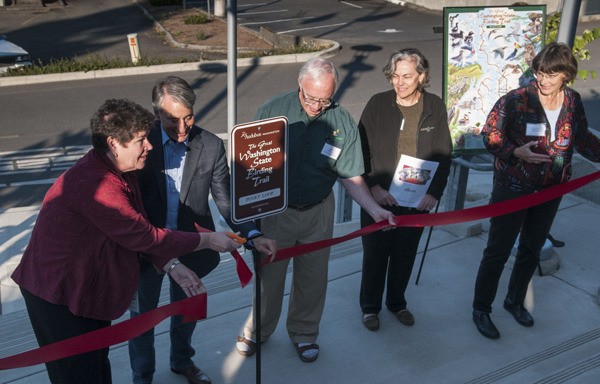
(258,169)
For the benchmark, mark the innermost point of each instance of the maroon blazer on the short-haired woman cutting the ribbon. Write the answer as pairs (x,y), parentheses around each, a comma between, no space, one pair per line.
(85,245)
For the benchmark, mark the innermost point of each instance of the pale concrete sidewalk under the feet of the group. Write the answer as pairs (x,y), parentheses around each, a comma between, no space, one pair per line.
(442,347)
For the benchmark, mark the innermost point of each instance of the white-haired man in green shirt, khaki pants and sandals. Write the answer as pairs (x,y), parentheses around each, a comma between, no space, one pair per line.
(324,145)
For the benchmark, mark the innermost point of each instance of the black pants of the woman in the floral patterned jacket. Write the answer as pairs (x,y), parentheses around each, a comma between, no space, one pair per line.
(533,224)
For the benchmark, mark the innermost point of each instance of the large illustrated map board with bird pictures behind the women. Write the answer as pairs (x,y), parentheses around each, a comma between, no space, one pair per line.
(487,52)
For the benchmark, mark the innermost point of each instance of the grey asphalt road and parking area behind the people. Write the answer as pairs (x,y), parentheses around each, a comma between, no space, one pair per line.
(56,115)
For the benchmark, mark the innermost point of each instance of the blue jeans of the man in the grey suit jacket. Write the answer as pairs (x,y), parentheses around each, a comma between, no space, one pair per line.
(141,349)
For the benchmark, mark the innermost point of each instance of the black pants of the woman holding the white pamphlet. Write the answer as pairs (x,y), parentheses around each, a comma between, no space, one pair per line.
(389,253)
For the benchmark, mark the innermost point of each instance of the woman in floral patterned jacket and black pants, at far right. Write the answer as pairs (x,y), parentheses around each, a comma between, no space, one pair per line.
(532,132)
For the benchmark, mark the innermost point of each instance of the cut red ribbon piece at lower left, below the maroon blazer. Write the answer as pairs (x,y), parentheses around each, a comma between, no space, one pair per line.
(193,308)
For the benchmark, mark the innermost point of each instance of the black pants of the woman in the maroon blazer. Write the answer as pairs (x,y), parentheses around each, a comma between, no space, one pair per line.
(52,323)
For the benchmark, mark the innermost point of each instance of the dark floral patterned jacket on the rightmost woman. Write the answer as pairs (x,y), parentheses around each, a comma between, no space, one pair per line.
(506,129)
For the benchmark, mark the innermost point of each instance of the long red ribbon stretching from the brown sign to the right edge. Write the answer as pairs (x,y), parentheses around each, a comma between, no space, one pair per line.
(444,218)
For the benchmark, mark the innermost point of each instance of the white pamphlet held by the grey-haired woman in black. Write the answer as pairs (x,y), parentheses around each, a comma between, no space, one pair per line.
(411,180)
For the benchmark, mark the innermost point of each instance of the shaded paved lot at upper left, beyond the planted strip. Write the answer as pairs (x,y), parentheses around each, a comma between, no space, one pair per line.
(97,27)
